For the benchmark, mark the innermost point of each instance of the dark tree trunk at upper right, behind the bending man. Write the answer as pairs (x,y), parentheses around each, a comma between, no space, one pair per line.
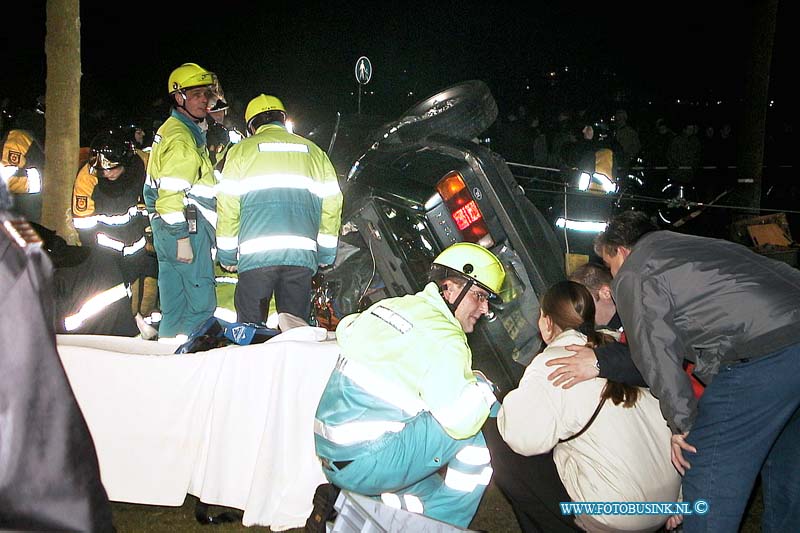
(752,133)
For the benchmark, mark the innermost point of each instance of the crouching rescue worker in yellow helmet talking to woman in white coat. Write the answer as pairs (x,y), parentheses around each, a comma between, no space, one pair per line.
(403,401)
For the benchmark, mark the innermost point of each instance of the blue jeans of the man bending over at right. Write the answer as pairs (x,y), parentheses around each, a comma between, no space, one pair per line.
(747,422)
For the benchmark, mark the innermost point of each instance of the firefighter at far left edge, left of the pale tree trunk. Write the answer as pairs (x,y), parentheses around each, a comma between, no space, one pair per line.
(22,164)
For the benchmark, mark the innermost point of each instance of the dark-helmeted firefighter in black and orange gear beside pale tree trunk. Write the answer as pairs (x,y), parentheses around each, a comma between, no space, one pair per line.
(111,218)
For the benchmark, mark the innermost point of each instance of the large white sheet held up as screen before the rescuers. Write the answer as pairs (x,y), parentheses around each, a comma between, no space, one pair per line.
(233,426)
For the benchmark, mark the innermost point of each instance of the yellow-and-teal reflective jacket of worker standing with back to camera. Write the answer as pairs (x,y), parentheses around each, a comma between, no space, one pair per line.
(279,203)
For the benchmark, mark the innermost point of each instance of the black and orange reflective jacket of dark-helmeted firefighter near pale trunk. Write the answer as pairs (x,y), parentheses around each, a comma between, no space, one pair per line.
(110,214)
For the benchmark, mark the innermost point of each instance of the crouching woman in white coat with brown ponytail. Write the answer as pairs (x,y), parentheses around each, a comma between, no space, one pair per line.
(610,442)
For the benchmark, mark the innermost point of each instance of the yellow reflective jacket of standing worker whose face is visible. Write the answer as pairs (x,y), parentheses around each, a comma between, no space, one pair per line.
(179,173)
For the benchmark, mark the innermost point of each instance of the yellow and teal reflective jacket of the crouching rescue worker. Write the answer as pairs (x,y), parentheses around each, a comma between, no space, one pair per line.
(400,357)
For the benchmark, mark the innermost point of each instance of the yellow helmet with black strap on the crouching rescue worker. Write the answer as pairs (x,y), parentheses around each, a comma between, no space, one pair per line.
(474,262)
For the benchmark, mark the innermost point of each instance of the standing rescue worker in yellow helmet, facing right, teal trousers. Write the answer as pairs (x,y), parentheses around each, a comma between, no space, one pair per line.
(180,195)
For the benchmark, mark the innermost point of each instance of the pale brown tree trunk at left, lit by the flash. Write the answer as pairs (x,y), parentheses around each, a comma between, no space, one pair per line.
(63,49)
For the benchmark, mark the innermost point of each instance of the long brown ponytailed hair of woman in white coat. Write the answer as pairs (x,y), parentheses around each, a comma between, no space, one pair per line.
(570,306)
